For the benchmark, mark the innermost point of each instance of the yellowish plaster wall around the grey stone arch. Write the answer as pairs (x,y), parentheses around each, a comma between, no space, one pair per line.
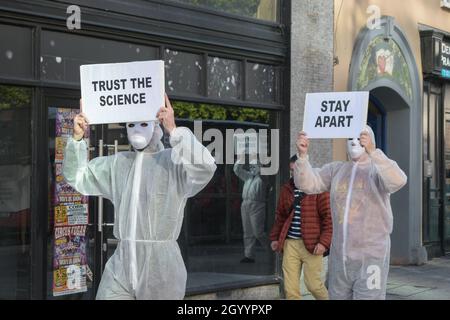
(353,17)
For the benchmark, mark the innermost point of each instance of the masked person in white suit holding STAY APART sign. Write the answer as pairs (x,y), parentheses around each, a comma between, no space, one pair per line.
(362,217)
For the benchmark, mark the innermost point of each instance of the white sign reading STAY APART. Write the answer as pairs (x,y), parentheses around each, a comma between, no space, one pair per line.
(335,114)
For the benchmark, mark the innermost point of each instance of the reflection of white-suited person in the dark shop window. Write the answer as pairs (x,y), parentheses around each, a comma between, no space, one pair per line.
(253,209)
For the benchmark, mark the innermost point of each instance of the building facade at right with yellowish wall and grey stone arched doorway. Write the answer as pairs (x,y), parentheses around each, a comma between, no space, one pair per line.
(398,52)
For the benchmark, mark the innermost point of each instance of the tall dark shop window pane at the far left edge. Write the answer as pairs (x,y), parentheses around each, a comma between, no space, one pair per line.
(15,176)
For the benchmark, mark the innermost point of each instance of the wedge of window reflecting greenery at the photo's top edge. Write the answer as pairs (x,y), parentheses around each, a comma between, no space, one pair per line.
(259,9)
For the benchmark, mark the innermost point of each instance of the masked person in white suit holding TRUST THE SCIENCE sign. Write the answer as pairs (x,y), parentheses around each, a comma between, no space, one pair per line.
(149,189)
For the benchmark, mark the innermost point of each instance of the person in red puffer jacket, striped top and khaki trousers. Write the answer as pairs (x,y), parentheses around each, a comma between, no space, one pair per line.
(302,231)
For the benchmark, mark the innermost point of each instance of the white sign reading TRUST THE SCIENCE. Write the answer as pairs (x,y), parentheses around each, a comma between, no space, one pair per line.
(122,92)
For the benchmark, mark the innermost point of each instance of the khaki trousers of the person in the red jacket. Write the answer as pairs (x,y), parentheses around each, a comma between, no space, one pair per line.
(295,256)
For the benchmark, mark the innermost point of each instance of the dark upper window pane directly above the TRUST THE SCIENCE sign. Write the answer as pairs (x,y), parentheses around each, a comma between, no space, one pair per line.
(63,54)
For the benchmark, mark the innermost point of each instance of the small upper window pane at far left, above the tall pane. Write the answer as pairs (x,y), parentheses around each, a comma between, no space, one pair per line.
(15,52)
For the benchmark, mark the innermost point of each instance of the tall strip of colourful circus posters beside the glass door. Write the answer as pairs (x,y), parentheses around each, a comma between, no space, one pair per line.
(71,216)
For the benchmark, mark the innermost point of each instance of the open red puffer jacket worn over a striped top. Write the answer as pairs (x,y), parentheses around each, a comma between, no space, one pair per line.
(315,218)
